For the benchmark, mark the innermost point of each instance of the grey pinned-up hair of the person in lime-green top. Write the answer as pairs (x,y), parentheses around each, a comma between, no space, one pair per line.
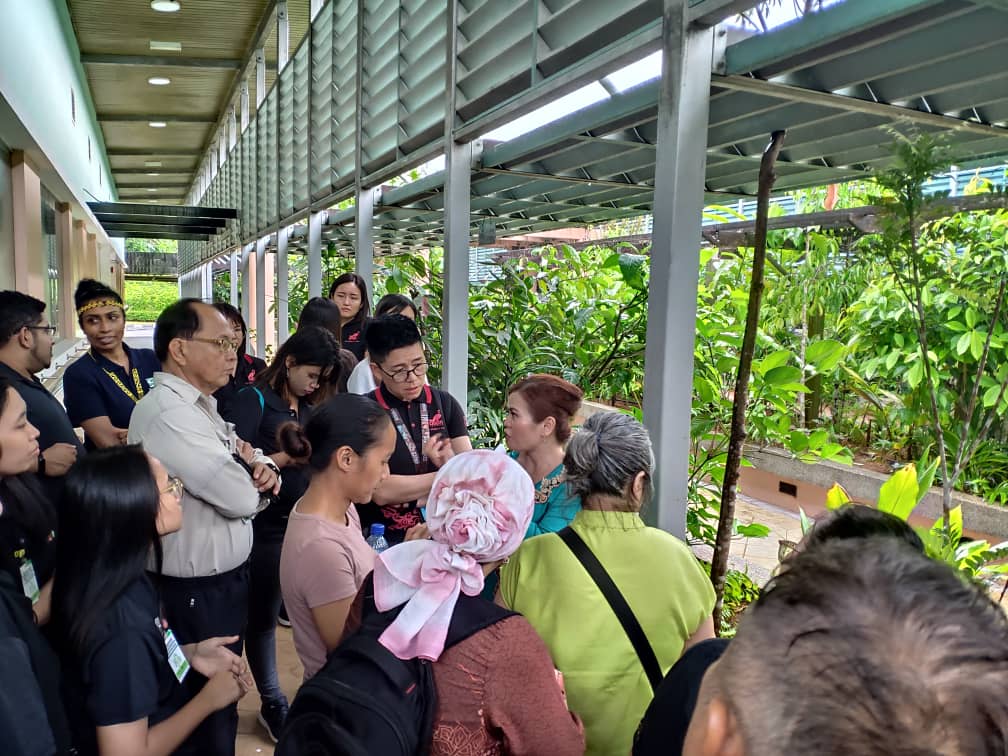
(607,454)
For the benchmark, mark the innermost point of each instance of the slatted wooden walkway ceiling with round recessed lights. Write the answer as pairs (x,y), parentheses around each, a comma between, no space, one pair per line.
(217,38)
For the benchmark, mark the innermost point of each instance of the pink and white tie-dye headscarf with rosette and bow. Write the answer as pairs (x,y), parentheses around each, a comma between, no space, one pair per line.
(478,512)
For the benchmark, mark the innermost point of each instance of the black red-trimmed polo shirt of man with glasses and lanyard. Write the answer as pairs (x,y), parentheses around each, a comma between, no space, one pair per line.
(446,418)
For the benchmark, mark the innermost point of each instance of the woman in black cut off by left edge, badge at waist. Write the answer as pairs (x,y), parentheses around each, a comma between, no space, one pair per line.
(28,520)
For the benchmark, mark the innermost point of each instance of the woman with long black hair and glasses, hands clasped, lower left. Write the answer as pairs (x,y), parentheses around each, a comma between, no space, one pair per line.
(122,665)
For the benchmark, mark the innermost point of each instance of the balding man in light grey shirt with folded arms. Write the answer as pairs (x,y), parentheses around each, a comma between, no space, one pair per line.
(204,585)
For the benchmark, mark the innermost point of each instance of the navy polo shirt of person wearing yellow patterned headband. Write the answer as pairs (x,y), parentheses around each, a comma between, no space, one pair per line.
(90,392)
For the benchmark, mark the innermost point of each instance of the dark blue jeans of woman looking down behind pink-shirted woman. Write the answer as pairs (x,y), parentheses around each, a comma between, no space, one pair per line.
(265,605)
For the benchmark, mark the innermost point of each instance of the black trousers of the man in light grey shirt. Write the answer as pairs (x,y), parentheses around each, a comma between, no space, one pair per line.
(201,608)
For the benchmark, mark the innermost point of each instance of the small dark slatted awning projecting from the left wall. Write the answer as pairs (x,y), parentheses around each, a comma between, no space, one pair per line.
(134,221)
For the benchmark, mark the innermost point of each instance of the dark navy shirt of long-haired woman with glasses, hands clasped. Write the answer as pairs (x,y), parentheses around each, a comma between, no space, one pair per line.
(123,674)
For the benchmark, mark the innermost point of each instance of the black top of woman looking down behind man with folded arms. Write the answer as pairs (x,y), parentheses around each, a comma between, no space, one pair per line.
(259,413)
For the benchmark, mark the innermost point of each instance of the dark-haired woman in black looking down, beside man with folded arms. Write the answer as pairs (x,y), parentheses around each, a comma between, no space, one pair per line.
(279,397)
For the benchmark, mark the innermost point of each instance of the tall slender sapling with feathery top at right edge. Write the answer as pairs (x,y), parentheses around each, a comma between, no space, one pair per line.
(950,277)
